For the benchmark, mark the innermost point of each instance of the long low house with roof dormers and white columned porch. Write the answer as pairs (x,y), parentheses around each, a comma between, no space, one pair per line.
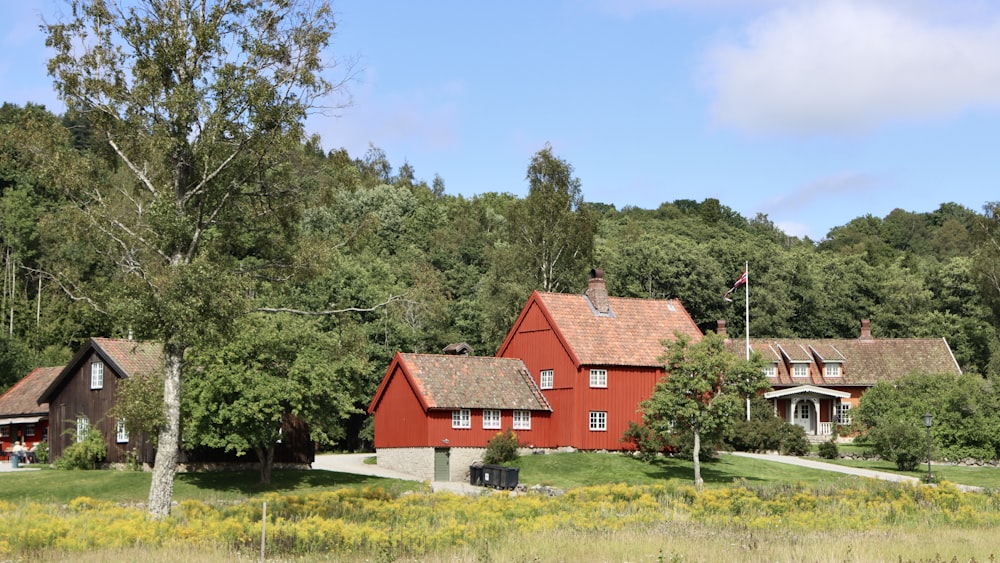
(816,382)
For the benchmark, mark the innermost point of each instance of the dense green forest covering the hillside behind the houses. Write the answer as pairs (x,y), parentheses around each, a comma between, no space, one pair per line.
(352,258)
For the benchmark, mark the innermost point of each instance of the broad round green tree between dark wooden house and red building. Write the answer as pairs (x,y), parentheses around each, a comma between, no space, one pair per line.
(277,369)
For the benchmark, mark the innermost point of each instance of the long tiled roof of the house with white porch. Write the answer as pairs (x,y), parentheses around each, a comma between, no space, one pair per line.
(863,361)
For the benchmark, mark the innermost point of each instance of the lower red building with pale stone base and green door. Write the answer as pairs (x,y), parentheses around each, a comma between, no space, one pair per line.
(435,413)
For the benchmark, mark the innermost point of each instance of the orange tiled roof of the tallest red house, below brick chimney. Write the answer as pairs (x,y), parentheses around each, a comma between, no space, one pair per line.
(632,335)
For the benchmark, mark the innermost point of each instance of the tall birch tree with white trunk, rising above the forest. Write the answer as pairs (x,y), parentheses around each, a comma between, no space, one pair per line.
(199,101)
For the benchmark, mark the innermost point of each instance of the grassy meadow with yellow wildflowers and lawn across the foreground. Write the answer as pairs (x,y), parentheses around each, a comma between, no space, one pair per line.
(749,512)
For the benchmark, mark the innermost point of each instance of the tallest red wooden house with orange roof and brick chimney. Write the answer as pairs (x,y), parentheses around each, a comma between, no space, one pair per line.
(595,358)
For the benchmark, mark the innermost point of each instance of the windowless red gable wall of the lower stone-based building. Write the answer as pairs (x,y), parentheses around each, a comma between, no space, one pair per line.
(399,420)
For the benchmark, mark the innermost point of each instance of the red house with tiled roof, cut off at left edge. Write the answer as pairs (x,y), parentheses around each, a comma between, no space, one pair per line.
(22,418)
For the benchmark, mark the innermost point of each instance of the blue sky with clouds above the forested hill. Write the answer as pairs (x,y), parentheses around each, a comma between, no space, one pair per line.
(812,112)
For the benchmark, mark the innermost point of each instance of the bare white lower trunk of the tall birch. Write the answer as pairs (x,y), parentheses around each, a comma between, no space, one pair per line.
(161,490)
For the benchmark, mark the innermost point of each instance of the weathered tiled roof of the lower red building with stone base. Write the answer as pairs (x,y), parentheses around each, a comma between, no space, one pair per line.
(449,382)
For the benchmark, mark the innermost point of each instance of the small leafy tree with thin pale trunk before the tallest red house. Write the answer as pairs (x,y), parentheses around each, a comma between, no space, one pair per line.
(703,390)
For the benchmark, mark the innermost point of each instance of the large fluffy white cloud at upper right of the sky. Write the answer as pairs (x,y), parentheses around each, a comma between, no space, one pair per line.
(836,66)
